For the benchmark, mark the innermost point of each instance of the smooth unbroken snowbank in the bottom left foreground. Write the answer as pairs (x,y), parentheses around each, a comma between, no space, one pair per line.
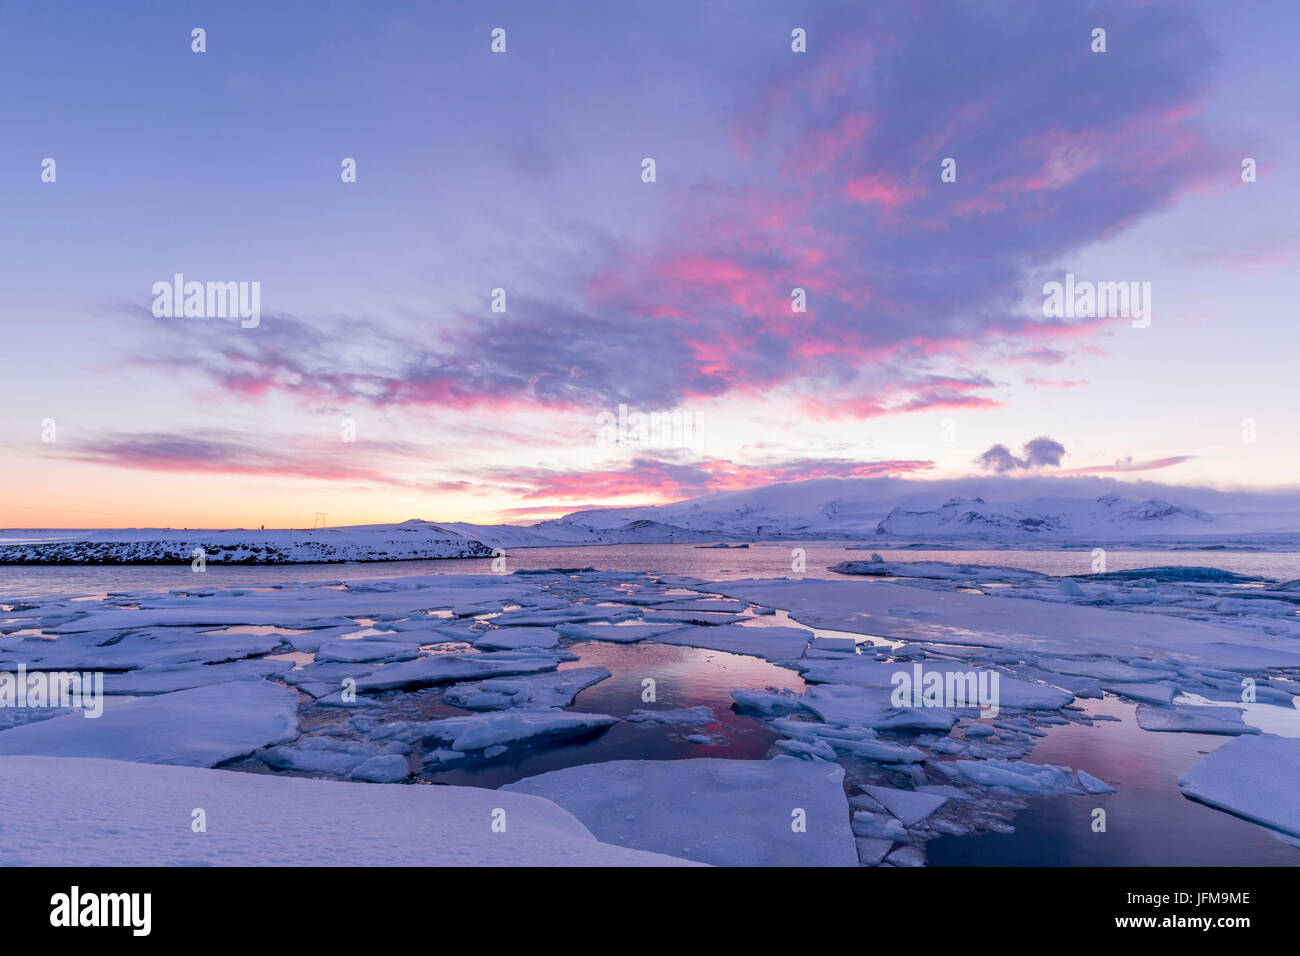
(51,817)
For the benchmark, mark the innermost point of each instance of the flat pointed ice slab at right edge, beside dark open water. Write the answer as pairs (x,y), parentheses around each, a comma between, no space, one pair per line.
(1251,777)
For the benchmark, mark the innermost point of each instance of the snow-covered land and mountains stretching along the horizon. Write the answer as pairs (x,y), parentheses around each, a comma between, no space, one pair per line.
(972,513)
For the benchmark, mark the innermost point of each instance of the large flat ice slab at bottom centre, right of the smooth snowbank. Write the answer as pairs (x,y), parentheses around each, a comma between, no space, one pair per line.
(725,812)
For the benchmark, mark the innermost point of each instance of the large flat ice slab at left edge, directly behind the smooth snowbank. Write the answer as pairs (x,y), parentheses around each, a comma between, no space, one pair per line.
(200,728)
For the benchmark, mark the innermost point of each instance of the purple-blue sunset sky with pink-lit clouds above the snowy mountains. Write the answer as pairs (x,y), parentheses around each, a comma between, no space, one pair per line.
(385,379)
